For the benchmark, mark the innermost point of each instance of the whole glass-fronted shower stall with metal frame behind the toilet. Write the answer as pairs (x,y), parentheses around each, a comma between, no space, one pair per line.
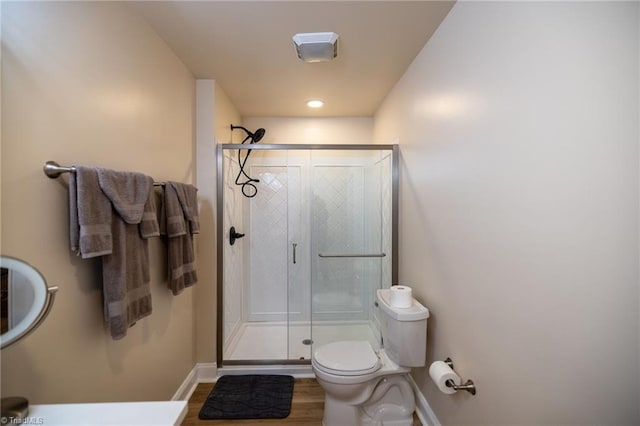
(306,235)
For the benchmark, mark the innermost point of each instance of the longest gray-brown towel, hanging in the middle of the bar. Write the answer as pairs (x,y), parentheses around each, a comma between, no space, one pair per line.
(125,272)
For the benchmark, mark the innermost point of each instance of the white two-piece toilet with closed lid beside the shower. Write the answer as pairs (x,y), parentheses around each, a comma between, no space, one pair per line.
(367,387)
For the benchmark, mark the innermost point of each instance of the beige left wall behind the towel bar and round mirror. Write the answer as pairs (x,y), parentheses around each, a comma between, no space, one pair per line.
(87,83)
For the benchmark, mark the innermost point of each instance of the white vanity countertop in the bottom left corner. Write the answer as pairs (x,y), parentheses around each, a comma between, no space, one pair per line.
(157,413)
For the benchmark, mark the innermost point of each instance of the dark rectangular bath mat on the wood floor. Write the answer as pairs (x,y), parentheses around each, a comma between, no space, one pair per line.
(250,396)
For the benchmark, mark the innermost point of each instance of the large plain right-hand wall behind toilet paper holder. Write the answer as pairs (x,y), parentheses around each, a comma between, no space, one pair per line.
(518,129)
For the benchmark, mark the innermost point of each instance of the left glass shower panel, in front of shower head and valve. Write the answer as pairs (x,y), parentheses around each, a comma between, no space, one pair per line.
(255,270)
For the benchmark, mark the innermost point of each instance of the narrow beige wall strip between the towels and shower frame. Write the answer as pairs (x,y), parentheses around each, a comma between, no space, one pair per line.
(215,113)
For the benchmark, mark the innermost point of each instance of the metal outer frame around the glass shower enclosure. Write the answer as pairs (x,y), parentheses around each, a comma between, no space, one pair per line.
(220,239)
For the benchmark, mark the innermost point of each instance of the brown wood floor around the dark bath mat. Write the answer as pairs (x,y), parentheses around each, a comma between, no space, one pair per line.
(306,408)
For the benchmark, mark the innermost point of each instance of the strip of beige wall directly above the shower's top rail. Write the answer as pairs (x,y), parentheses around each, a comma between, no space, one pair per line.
(332,130)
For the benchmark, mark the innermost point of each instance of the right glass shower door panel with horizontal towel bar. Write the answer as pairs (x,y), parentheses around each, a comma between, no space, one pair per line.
(351,249)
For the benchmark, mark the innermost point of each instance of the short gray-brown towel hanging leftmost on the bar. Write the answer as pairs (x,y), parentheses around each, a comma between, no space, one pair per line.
(89,214)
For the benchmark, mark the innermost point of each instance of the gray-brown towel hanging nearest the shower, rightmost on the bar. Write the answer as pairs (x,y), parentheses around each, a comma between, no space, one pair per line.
(180,257)
